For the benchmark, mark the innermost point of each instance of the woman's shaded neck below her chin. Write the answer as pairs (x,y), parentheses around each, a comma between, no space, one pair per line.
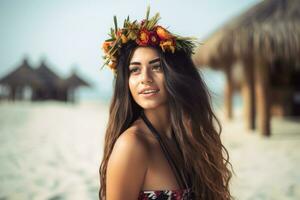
(160,119)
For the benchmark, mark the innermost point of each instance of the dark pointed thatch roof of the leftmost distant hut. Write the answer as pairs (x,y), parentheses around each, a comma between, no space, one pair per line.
(21,76)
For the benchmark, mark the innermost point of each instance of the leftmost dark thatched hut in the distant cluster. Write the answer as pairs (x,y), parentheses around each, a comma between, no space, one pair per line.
(22,79)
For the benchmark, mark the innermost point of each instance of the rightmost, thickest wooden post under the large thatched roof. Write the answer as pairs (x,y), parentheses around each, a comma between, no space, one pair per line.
(262,87)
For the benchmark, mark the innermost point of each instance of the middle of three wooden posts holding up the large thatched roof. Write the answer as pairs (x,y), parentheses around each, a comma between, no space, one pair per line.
(248,92)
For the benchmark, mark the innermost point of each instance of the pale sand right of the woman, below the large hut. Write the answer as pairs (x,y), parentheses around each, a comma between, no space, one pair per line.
(266,168)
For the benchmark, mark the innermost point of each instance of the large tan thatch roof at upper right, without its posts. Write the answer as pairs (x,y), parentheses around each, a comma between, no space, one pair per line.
(269,30)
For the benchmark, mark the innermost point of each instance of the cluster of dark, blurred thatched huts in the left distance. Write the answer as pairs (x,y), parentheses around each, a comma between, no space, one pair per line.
(42,83)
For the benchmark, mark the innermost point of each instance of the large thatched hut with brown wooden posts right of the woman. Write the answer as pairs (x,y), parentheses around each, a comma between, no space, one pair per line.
(265,33)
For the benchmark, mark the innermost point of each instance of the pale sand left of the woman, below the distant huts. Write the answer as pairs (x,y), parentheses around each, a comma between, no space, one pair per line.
(50,150)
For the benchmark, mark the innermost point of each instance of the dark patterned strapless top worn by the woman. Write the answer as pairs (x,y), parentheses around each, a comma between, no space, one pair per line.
(180,194)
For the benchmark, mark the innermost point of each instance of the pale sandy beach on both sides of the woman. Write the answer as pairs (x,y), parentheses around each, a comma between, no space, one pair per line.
(53,151)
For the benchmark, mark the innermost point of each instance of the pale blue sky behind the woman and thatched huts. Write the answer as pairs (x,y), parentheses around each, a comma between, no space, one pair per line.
(68,34)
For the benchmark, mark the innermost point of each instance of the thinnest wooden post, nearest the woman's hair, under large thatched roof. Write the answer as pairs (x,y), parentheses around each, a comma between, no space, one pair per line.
(228,93)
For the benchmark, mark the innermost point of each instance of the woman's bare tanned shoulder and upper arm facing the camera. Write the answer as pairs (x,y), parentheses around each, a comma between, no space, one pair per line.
(127,165)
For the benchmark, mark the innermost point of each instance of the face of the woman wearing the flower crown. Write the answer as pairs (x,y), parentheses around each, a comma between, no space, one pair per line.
(146,78)
